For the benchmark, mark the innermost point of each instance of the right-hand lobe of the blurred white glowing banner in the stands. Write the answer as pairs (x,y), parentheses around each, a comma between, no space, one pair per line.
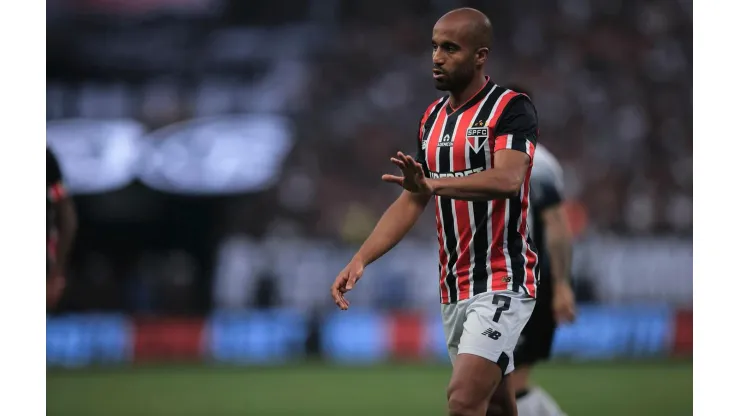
(218,155)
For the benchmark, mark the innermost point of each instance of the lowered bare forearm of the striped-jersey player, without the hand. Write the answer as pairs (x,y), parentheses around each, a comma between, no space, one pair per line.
(395,223)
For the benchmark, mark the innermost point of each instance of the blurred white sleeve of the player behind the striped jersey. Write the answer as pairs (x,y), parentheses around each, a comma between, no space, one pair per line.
(547,180)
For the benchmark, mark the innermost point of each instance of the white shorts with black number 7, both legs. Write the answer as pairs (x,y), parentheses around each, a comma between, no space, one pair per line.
(487,325)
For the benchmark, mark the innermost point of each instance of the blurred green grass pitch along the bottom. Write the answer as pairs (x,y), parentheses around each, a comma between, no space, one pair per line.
(604,389)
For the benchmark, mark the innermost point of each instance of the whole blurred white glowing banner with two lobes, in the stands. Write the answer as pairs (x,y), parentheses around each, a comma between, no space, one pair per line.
(217,155)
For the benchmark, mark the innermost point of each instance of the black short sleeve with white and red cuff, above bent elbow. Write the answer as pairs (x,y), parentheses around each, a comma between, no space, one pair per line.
(518,127)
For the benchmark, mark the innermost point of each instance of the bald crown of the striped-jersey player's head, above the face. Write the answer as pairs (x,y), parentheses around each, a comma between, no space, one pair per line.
(471,25)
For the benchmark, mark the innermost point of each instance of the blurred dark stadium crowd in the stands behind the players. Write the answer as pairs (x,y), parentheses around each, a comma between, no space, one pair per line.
(348,82)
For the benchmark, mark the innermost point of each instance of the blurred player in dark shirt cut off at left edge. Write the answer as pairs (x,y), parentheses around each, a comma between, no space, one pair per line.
(61,226)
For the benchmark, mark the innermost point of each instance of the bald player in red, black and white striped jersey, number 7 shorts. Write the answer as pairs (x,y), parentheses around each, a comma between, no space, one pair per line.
(475,148)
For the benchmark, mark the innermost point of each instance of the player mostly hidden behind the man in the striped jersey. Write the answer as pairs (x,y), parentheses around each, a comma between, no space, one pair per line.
(555,300)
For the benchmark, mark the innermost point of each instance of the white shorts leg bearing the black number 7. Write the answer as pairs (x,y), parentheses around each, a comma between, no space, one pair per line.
(493,323)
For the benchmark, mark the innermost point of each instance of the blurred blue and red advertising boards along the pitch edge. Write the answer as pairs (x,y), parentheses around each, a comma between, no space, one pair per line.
(362,336)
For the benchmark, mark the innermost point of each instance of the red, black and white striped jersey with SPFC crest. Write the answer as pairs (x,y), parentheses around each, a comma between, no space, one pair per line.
(483,245)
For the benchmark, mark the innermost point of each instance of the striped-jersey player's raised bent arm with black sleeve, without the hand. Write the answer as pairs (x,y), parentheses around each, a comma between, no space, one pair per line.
(513,147)
